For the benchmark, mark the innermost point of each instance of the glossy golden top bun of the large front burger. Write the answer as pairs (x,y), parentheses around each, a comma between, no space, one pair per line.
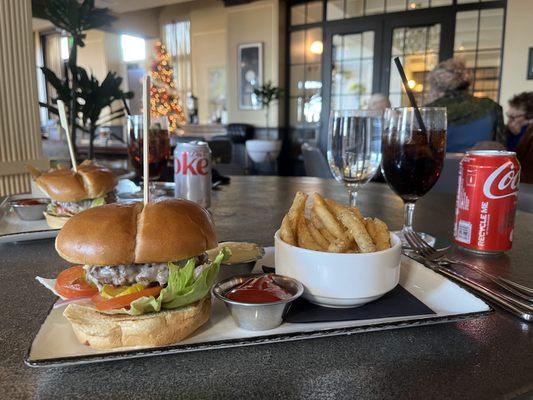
(114,234)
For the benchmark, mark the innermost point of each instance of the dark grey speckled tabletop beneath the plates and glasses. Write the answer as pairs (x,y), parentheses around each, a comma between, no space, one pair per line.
(486,358)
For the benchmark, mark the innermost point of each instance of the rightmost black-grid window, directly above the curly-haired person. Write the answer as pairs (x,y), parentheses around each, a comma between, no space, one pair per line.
(478,42)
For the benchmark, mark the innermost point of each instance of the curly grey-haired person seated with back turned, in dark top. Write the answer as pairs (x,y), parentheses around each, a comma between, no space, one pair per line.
(472,122)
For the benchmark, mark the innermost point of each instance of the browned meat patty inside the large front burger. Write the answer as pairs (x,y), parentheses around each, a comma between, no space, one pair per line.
(125,275)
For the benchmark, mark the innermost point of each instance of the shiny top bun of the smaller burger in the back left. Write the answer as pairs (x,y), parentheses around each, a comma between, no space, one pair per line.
(62,184)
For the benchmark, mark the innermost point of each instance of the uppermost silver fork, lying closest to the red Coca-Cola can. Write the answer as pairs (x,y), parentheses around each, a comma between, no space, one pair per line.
(431,254)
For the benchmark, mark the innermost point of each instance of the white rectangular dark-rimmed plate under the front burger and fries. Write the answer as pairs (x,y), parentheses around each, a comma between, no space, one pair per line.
(56,345)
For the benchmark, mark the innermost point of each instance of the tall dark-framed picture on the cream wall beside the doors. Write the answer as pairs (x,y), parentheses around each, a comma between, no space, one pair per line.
(250,74)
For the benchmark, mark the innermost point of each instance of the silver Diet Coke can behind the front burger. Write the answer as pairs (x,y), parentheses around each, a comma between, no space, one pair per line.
(192,172)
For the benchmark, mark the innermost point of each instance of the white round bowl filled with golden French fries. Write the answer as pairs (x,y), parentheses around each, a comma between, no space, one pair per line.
(342,258)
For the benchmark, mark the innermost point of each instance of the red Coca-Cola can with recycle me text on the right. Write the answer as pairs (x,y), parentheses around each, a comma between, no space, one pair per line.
(486,201)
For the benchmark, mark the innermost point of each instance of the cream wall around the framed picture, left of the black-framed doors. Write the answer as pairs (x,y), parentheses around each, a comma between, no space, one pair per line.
(216,31)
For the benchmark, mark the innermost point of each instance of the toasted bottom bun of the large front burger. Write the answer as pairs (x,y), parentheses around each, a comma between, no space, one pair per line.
(105,331)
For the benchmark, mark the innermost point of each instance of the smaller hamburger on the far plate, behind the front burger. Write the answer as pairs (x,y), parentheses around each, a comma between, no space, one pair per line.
(72,192)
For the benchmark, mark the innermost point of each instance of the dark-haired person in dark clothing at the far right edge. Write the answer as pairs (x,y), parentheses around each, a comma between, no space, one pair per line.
(520,132)
